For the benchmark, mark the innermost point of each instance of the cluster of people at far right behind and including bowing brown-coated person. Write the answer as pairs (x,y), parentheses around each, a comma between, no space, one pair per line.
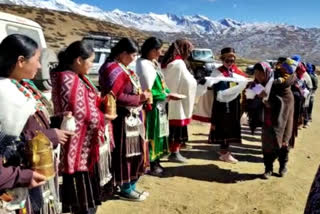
(287,109)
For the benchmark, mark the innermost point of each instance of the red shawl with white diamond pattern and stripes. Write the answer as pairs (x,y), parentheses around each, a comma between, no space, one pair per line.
(75,93)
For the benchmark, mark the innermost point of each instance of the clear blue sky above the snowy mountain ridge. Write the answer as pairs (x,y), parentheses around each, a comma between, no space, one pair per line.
(301,13)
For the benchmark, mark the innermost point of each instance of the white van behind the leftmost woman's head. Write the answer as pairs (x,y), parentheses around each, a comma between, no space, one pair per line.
(11,24)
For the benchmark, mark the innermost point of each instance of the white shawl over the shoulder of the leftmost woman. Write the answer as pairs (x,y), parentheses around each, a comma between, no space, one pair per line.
(15,107)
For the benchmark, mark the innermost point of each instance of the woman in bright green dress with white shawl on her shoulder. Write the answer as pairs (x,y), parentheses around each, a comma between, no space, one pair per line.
(152,79)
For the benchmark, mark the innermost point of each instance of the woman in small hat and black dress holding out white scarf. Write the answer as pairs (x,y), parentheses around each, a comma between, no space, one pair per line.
(225,119)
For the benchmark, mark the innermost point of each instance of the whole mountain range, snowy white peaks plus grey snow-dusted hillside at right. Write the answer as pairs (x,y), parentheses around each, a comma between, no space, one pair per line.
(252,40)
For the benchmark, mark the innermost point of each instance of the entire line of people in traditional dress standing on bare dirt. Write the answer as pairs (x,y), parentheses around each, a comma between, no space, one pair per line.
(122,130)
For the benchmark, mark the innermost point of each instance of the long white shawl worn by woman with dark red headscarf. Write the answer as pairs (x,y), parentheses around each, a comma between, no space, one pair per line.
(180,80)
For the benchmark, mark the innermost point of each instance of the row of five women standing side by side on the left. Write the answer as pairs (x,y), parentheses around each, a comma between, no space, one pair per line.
(99,141)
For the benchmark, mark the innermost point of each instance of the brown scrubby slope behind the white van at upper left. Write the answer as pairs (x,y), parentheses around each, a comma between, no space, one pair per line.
(62,28)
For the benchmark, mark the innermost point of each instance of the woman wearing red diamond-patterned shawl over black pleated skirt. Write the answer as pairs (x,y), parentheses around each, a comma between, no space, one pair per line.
(73,91)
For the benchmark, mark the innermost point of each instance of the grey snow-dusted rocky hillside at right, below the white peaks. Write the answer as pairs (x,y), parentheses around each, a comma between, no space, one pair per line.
(259,43)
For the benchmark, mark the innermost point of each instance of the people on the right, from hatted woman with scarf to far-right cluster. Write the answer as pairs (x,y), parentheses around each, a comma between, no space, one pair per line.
(279,99)
